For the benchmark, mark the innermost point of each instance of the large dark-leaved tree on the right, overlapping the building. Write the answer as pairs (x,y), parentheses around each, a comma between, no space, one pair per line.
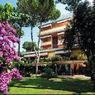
(82,33)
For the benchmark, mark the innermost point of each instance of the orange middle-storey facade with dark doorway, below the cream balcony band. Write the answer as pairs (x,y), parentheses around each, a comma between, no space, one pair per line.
(52,42)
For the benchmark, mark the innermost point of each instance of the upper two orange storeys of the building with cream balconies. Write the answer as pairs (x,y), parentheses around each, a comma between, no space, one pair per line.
(52,35)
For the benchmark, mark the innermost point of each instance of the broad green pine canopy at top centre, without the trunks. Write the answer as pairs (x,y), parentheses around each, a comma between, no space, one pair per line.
(31,7)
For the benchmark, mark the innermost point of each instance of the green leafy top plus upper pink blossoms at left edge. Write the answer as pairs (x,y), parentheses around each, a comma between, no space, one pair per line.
(7,35)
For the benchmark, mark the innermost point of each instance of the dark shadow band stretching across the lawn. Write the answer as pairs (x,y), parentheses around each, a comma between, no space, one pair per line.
(73,85)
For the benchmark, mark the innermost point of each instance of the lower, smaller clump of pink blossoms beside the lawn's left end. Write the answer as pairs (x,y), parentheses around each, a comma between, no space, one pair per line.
(5,79)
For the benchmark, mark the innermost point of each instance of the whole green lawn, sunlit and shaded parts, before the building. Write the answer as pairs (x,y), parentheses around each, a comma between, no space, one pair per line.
(37,85)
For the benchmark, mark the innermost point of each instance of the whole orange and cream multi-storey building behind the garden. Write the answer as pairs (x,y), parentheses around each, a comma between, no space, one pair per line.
(51,43)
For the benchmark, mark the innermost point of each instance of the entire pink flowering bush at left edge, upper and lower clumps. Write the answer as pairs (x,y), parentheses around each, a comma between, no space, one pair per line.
(8,37)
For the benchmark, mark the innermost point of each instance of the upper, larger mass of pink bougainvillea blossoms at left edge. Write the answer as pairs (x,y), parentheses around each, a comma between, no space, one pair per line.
(7,39)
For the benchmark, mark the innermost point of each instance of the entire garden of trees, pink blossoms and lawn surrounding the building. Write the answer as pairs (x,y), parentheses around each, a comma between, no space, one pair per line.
(20,75)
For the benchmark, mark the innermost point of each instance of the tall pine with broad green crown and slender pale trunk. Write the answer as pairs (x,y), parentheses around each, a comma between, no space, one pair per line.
(39,11)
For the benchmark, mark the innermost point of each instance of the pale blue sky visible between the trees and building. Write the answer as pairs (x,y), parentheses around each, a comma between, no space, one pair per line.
(27,30)
